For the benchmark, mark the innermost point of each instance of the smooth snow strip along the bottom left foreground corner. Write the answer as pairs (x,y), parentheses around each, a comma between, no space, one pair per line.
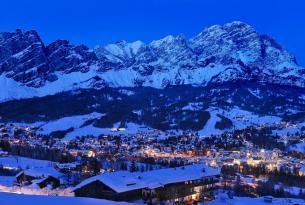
(17,199)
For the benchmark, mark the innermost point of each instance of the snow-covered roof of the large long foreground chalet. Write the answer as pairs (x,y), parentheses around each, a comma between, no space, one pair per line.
(123,181)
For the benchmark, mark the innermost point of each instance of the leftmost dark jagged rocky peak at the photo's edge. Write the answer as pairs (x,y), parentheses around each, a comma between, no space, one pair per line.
(23,58)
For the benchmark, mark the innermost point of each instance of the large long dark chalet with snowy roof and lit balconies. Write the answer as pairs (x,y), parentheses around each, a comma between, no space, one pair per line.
(173,184)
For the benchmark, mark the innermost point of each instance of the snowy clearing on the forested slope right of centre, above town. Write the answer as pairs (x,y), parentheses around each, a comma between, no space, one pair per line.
(240,118)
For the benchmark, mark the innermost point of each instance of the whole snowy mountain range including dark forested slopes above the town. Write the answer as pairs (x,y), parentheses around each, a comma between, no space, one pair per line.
(225,77)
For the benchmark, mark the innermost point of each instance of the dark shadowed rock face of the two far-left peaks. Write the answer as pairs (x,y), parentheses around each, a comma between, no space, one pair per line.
(25,58)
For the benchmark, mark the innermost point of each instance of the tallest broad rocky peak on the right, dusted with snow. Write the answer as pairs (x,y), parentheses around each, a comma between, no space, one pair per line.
(239,42)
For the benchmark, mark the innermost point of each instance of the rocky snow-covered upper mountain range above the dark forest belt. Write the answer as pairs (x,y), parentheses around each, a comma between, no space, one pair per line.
(233,52)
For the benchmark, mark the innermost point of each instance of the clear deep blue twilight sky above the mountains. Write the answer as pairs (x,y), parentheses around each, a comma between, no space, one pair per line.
(95,22)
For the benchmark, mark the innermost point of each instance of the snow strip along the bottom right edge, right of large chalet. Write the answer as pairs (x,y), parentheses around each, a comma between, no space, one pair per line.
(254,201)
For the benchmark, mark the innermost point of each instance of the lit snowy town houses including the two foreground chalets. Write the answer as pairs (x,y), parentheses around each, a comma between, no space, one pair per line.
(185,183)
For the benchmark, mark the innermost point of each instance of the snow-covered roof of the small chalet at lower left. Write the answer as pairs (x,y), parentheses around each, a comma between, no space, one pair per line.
(41,172)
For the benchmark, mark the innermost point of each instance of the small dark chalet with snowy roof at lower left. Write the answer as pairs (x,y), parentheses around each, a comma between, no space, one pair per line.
(40,177)
